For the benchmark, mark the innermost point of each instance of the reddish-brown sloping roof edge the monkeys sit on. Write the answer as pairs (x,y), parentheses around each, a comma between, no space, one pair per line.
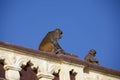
(71,59)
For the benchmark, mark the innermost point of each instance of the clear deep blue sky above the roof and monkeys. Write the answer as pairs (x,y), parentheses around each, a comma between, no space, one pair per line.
(86,24)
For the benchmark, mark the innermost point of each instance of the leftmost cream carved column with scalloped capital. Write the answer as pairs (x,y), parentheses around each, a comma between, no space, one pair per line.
(12,65)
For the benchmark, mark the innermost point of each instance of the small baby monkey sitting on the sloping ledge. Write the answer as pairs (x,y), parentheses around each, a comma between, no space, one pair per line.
(90,57)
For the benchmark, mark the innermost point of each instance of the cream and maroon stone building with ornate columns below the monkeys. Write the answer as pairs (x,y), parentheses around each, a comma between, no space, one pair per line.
(20,63)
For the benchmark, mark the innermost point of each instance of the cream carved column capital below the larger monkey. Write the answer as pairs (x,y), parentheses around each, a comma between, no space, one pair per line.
(45,70)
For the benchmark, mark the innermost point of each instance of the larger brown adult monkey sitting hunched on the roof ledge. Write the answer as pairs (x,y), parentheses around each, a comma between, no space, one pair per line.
(50,42)
